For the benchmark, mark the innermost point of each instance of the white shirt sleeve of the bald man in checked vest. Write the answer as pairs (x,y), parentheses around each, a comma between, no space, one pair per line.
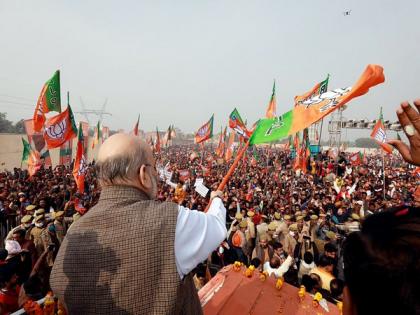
(197,234)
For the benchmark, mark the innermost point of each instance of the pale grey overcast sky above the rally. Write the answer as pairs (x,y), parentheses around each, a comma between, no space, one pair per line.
(177,62)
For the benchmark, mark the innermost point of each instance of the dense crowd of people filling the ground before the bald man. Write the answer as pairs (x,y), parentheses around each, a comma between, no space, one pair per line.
(291,223)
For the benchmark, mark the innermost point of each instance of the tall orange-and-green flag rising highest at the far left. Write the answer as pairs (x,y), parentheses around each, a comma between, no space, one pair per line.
(49,100)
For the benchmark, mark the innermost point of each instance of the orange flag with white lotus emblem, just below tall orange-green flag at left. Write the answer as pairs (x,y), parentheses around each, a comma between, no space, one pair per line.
(59,129)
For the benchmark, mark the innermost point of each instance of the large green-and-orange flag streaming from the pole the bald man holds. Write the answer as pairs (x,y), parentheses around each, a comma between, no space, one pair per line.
(311,110)
